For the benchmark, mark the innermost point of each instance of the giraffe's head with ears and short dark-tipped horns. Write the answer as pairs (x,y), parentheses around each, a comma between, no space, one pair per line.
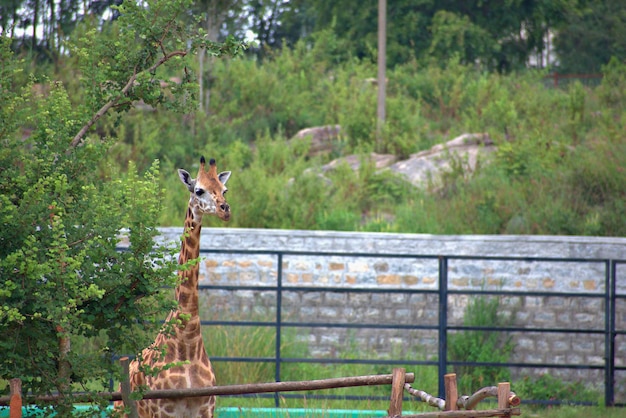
(207,191)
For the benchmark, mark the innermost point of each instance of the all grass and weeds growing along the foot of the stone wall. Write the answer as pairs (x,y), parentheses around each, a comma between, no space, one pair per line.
(479,346)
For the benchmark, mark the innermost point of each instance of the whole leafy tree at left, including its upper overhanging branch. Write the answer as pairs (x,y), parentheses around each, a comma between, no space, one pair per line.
(61,277)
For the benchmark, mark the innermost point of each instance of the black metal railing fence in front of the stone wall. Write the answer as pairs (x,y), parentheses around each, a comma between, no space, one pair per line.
(608,329)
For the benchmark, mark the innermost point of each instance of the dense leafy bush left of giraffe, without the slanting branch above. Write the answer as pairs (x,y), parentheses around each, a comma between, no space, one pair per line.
(62,276)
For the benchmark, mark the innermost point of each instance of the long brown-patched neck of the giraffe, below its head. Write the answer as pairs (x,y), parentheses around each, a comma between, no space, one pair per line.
(187,290)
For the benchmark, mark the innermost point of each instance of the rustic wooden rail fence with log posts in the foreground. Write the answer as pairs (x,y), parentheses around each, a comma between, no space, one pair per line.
(453,406)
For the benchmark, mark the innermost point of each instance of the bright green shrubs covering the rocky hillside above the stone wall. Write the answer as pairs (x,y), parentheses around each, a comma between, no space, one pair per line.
(558,168)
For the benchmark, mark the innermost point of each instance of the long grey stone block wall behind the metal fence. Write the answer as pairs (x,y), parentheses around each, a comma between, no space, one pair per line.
(406,267)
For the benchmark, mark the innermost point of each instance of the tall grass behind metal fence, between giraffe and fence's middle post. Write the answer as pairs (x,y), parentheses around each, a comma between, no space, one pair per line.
(260,342)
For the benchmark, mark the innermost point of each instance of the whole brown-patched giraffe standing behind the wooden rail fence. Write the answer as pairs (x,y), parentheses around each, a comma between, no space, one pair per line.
(185,344)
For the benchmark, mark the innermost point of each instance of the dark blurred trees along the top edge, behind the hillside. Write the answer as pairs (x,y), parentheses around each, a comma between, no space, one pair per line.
(506,35)
